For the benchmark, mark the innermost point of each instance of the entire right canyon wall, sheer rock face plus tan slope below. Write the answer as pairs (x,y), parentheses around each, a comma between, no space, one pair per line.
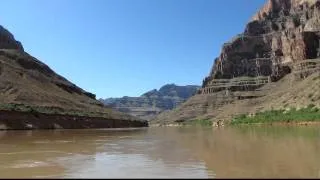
(280,35)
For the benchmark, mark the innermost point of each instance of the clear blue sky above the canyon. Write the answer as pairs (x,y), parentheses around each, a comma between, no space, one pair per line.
(116,48)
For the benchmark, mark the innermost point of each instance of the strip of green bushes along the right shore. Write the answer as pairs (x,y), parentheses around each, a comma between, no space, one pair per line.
(309,113)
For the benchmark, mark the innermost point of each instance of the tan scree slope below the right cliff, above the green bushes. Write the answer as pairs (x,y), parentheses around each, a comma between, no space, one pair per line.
(285,93)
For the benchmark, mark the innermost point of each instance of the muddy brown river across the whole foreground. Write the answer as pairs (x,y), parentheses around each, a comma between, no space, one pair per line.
(166,152)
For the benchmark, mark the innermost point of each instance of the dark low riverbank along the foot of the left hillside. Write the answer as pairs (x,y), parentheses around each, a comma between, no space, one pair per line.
(17,120)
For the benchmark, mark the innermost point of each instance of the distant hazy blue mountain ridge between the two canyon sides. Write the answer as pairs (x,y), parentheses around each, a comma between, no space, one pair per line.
(152,102)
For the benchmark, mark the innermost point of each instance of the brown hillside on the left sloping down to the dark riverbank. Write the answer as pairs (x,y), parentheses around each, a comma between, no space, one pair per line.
(28,82)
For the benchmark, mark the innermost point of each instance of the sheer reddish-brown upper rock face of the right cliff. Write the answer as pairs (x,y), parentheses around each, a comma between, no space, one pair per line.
(282,32)
